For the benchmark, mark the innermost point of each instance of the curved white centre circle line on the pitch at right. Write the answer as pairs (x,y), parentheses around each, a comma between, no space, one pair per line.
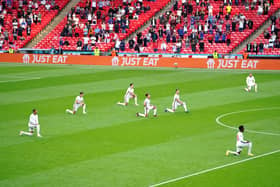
(248,110)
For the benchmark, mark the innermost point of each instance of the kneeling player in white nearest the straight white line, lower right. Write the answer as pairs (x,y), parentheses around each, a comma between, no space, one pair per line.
(241,143)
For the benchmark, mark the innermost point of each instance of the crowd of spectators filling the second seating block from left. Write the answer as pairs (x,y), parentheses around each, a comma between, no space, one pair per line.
(102,21)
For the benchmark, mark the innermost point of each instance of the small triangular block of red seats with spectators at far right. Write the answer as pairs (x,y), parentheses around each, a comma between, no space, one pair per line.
(266,43)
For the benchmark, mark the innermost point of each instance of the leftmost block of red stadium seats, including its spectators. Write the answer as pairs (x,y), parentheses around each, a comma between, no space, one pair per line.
(21,21)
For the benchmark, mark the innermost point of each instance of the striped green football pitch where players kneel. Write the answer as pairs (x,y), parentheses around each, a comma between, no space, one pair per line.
(110,146)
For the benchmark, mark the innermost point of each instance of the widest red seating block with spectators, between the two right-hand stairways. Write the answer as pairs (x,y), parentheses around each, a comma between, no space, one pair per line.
(202,27)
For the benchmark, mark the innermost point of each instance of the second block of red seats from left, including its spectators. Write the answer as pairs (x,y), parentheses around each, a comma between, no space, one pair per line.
(100,24)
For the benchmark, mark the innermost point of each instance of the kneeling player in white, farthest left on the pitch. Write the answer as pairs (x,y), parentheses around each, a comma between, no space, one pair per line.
(32,124)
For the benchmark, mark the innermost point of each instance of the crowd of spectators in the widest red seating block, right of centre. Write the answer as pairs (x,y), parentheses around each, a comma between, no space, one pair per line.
(191,25)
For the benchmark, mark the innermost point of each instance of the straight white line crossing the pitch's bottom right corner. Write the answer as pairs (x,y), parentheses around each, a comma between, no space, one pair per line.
(215,168)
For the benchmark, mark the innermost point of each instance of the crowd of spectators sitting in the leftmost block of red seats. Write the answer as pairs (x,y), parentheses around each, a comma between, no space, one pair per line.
(17,18)
